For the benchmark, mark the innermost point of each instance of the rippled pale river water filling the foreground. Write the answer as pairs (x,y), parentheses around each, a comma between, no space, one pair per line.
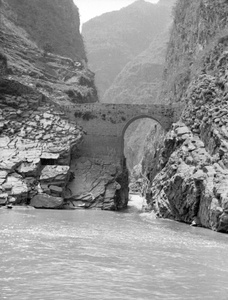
(85,254)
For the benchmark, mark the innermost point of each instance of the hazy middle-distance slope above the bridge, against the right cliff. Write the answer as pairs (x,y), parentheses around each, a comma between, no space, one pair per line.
(140,79)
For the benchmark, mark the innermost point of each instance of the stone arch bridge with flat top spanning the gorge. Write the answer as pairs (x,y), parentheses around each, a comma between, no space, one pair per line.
(105,125)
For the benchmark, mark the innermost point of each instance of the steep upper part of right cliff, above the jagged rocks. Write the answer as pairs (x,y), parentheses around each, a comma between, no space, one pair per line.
(194,29)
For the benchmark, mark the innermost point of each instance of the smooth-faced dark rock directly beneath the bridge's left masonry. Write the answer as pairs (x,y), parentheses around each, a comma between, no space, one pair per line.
(97,184)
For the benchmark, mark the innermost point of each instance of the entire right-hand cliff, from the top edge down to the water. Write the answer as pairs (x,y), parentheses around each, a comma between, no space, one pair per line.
(190,182)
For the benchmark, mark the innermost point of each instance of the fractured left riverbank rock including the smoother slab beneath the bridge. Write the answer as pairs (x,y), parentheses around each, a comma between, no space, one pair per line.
(40,163)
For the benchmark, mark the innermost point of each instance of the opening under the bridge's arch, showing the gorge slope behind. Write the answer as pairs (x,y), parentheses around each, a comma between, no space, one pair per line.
(139,145)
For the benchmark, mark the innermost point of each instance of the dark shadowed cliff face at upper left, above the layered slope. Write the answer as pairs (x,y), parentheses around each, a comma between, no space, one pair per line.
(53,25)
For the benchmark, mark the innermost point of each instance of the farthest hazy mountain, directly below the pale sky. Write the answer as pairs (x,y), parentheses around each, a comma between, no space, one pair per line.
(115,38)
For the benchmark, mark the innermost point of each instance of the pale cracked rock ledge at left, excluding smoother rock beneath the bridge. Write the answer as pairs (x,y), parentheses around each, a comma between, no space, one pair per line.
(36,143)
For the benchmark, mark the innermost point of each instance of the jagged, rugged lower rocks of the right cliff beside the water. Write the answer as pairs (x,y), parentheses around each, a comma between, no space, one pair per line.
(192,180)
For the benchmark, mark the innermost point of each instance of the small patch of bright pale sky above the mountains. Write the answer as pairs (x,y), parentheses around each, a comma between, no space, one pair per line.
(90,8)
